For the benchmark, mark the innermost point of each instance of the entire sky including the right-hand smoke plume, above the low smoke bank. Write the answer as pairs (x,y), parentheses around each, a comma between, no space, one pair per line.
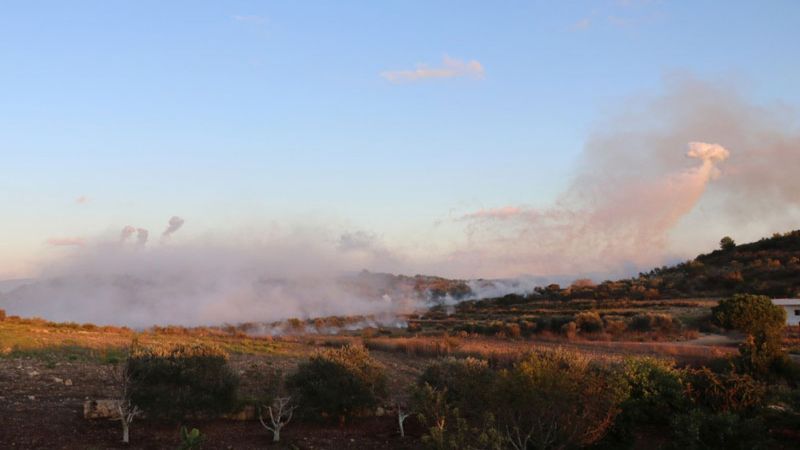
(408,131)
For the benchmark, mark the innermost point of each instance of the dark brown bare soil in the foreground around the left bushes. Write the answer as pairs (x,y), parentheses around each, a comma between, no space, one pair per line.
(41,407)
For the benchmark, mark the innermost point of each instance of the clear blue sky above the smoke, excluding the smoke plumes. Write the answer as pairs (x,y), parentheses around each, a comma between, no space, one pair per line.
(238,113)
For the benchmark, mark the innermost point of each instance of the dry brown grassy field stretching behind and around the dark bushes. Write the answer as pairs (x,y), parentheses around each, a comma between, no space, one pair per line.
(48,370)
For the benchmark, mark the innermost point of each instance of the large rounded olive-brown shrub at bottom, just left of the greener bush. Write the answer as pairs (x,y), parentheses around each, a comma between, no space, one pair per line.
(557,399)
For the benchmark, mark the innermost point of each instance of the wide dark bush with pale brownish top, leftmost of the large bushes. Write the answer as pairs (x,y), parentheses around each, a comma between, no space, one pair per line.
(181,381)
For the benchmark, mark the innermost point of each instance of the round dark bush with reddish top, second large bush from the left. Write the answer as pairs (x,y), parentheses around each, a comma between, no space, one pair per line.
(338,383)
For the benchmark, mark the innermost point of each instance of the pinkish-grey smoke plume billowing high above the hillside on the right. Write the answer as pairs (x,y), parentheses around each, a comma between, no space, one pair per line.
(639,183)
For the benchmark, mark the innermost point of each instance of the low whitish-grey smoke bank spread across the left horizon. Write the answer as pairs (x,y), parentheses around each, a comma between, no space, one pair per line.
(206,284)
